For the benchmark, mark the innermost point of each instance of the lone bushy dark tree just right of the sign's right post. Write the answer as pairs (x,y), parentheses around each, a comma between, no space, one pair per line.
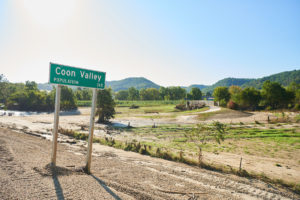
(105,105)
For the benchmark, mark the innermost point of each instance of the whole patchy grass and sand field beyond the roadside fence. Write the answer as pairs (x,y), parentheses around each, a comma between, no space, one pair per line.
(269,148)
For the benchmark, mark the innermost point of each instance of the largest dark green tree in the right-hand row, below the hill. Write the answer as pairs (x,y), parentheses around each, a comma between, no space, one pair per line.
(275,96)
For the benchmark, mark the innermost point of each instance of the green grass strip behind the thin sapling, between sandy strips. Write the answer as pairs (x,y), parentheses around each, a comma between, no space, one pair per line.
(252,141)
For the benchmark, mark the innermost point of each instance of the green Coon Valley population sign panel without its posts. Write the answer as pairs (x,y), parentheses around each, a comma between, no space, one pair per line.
(66,75)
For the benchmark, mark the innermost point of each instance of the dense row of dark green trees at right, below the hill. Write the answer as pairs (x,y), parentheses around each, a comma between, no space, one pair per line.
(272,96)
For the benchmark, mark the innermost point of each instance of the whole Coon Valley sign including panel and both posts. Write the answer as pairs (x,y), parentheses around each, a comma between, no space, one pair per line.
(66,75)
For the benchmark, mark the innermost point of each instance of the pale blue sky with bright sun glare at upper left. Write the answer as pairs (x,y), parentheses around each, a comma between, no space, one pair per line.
(167,41)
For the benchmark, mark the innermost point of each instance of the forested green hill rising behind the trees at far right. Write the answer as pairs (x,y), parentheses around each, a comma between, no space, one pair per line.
(284,78)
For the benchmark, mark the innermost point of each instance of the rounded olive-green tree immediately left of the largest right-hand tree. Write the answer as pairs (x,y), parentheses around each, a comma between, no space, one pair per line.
(249,98)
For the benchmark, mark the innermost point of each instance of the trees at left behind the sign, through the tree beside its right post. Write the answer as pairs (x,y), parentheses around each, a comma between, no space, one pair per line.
(27,97)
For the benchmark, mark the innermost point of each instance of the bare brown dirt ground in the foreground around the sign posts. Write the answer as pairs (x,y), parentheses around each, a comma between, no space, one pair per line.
(26,174)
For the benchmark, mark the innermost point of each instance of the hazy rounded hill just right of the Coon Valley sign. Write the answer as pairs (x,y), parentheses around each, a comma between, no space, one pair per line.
(138,83)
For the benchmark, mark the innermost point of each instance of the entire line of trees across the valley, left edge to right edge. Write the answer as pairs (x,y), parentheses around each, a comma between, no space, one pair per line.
(27,96)
